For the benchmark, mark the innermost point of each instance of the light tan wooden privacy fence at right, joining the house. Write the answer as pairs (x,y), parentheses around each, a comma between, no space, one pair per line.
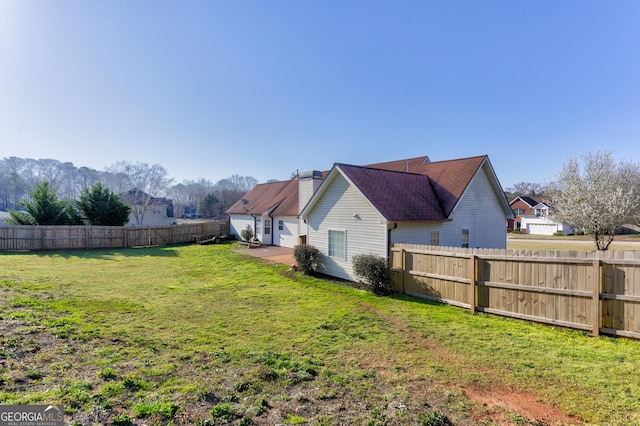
(594,291)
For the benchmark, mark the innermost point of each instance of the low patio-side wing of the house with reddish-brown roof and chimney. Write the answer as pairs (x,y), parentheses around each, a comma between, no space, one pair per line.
(271,209)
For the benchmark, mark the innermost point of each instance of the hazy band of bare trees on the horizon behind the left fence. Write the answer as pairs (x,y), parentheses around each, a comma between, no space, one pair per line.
(19,177)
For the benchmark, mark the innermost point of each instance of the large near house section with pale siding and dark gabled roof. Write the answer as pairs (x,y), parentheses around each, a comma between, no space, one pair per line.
(362,210)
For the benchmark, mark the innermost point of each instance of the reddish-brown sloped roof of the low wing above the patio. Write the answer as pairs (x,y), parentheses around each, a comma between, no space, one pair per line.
(278,198)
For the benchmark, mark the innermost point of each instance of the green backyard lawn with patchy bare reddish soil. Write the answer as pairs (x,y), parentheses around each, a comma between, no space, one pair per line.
(202,335)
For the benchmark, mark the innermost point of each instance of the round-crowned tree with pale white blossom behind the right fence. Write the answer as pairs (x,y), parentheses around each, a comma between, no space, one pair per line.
(598,195)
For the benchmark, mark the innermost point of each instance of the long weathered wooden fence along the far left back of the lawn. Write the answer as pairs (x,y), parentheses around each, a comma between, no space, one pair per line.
(97,237)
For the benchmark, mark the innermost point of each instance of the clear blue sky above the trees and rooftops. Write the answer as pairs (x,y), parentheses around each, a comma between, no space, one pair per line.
(264,88)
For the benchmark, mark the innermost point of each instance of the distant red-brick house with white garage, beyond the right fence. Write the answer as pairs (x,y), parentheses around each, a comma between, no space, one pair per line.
(531,216)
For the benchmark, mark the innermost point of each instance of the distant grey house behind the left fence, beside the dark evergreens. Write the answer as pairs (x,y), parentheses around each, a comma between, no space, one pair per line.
(147,210)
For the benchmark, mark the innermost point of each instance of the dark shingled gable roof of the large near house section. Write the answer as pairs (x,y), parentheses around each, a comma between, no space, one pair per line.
(428,193)
